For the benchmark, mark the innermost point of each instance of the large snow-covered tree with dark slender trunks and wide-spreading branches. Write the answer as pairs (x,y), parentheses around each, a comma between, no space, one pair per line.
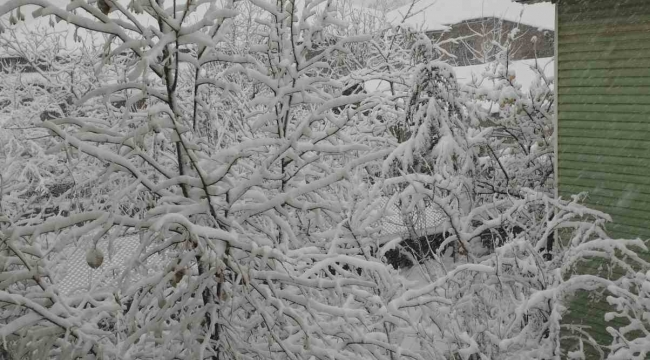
(239,204)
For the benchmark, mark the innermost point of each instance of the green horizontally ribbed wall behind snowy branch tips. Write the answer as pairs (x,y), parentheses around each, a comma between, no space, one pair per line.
(604,120)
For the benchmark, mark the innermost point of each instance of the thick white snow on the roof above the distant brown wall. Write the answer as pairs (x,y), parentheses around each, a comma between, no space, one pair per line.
(439,14)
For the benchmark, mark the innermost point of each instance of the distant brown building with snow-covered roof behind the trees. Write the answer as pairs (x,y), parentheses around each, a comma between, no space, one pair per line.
(470,33)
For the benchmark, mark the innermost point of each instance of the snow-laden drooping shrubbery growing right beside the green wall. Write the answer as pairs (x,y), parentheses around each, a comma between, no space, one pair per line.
(490,173)
